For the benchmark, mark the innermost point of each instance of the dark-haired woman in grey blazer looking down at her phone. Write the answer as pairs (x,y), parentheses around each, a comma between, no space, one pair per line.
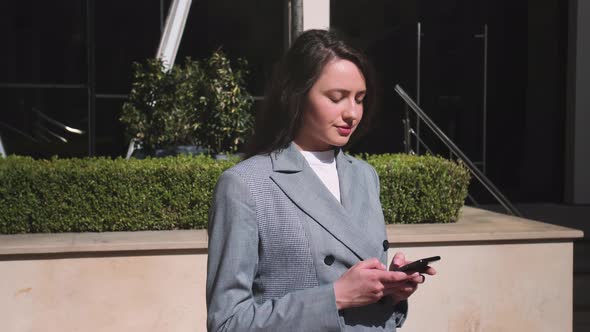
(296,233)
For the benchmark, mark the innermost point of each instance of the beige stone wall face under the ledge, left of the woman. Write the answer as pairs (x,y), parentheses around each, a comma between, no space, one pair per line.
(138,293)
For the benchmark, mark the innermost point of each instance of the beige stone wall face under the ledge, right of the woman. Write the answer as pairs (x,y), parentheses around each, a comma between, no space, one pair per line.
(505,287)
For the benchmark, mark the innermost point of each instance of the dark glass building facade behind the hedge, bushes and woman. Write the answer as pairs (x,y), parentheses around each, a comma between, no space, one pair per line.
(66,71)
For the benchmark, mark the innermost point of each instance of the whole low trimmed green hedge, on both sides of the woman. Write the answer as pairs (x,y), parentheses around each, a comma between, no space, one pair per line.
(100,194)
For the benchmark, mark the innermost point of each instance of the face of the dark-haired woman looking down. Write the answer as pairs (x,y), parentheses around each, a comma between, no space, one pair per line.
(333,108)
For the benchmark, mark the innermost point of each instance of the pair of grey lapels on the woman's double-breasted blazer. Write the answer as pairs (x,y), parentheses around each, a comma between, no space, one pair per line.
(300,183)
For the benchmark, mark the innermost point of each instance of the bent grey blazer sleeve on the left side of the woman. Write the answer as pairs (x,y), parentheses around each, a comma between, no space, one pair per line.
(232,266)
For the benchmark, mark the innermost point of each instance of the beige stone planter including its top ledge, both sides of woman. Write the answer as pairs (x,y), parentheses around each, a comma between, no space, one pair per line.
(497,273)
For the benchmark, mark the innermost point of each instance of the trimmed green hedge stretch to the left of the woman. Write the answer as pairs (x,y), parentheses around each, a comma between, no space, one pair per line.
(100,194)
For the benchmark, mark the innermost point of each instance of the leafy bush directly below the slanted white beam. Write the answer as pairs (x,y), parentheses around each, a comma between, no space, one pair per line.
(164,108)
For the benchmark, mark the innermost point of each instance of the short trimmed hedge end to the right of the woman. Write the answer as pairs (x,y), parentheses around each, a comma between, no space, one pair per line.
(420,189)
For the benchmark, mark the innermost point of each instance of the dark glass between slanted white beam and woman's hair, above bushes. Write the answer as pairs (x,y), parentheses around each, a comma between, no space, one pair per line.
(248,29)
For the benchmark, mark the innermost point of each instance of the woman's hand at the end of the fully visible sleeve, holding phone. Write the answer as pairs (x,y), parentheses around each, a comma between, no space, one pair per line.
(364,283)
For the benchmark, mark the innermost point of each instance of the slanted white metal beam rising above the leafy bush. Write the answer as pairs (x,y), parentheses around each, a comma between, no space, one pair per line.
(170,40)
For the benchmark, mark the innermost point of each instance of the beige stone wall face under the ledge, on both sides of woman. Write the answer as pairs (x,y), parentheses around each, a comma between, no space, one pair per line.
(505,287)
